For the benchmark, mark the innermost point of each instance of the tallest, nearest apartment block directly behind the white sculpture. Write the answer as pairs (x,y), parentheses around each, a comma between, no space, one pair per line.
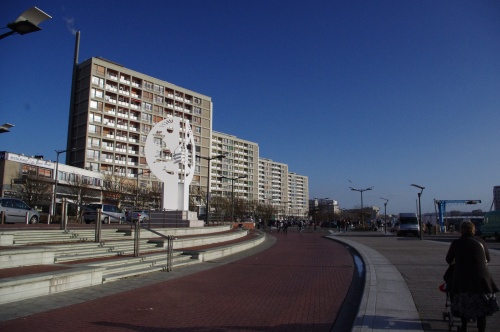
(114,108)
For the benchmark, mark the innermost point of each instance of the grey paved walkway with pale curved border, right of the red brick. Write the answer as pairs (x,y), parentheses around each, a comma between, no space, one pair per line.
(402,270)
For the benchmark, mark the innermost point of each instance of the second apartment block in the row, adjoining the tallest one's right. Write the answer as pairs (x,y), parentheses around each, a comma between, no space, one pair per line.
(240,164)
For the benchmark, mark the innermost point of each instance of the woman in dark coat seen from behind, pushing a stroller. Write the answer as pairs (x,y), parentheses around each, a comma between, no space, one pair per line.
(472,284)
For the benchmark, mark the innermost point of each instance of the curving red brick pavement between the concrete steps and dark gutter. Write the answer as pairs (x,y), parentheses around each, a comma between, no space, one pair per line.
(298,284)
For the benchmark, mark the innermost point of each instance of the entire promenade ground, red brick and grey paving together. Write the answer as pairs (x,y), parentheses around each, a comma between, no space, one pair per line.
(294,282)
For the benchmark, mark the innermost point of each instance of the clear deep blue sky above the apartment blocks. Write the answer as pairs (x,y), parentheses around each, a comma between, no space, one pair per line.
(378,93)
